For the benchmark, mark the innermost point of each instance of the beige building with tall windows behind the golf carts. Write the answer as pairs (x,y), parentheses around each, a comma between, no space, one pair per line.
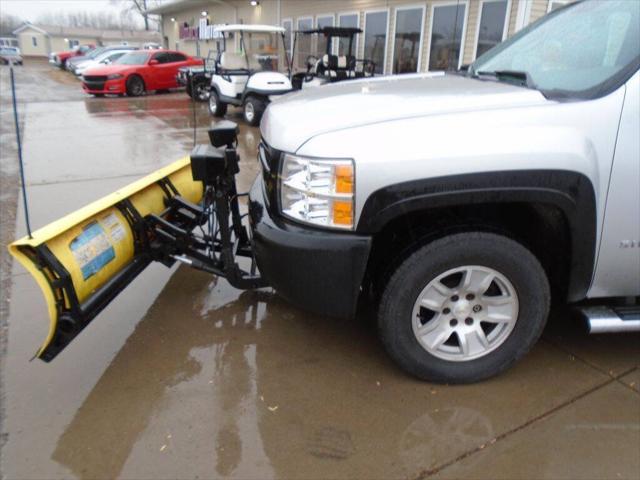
(398,35)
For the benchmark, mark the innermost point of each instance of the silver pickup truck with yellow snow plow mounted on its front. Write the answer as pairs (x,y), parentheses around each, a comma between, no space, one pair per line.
(458,206)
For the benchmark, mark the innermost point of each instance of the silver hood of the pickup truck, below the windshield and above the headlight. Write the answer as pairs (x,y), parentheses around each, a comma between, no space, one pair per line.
(293,119)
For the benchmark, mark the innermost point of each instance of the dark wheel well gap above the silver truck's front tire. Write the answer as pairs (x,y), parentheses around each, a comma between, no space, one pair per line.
(542,228)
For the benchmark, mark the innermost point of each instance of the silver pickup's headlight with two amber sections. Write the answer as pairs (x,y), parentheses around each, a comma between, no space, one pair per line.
(319,192)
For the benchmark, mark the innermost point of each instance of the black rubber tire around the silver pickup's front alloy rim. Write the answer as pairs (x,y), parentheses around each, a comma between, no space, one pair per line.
(497,252)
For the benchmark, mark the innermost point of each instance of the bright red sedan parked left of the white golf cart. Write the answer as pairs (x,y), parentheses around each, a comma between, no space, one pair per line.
(137,72)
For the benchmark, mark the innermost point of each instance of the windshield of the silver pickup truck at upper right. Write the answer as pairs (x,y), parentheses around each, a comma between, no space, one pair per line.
(580,51)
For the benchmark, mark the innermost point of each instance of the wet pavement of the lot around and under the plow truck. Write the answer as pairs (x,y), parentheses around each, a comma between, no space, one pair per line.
(185,377)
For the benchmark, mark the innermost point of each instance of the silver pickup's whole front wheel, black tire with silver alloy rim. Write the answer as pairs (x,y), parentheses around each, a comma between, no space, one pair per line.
(464,308)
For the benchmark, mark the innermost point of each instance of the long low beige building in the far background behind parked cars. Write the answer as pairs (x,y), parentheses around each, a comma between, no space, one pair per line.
(41,40)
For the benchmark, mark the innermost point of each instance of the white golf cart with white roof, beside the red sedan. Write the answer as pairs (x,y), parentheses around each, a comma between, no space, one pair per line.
(251,66)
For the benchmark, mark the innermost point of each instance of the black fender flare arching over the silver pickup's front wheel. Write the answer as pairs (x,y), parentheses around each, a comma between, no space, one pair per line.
(571,192)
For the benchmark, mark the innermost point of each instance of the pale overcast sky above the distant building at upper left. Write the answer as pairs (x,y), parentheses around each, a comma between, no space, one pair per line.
(31,9)
